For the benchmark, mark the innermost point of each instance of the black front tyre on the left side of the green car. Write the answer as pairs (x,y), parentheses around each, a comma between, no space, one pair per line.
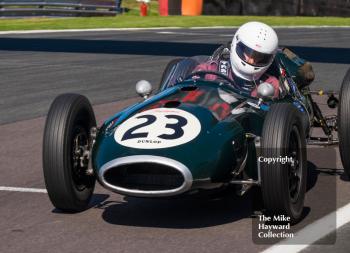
(68,124)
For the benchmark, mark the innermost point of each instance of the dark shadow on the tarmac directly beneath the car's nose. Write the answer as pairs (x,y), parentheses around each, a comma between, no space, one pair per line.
(179,213)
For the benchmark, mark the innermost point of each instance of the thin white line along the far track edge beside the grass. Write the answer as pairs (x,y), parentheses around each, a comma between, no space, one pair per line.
(152,28)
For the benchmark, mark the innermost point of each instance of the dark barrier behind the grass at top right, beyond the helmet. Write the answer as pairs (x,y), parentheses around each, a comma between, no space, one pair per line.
(278,7)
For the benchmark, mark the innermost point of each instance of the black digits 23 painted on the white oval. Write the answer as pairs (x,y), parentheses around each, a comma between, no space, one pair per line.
(177,127)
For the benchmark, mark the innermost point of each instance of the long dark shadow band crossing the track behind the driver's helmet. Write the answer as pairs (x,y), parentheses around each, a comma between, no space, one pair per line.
(313,54)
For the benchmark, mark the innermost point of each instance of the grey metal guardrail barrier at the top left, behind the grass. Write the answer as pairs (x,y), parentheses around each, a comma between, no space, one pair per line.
(58,8)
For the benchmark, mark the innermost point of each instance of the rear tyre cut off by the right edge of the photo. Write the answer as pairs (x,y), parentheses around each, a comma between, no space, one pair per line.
(344,123)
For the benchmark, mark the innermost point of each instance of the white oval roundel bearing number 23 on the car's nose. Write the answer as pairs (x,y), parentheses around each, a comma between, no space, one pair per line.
(158,128)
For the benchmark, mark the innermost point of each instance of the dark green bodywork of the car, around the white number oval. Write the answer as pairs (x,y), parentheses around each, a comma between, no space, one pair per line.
(222,143)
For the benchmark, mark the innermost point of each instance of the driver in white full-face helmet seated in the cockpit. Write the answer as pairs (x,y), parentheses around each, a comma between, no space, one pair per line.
(252,51)
